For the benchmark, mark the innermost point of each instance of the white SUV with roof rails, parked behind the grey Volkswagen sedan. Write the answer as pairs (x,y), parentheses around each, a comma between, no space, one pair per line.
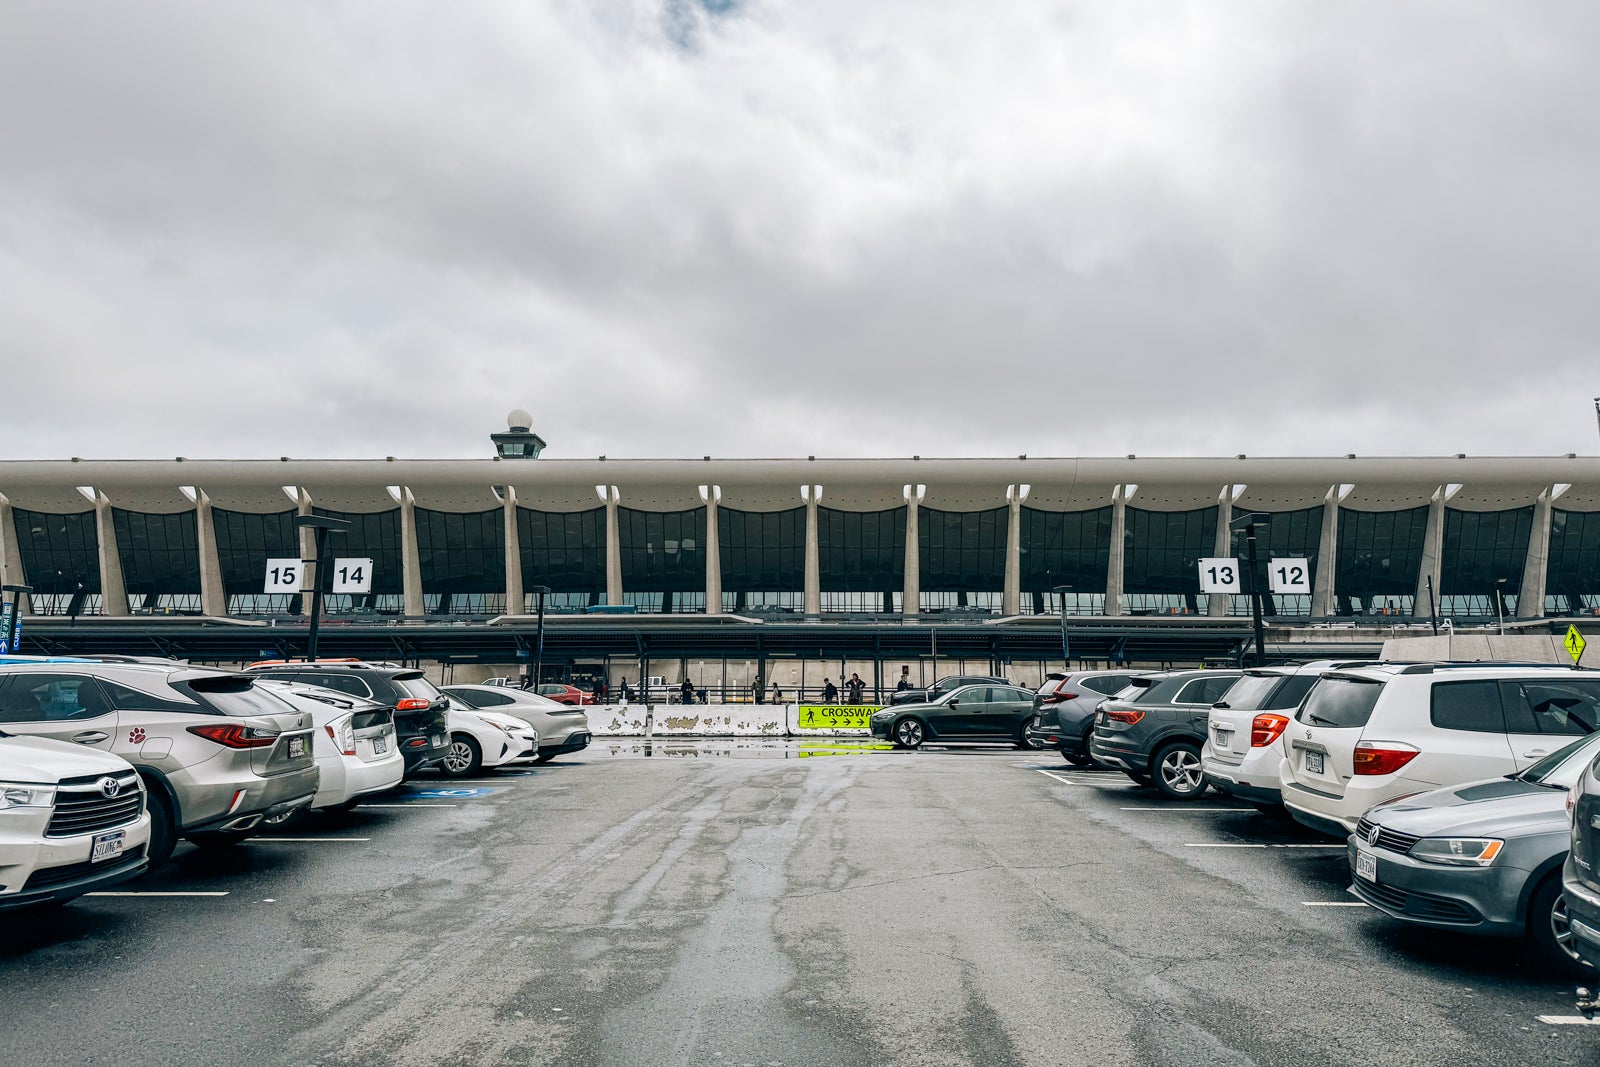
(1370,735)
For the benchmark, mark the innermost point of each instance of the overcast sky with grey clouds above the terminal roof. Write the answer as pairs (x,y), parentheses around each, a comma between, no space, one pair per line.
(762,228)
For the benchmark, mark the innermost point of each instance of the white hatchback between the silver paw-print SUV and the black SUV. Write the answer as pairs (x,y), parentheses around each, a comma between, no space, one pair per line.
(354,745)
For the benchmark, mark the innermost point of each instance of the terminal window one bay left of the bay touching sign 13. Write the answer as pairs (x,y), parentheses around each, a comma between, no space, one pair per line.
(1065,549)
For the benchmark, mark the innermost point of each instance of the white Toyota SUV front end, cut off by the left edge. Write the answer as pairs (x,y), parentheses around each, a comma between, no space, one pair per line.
(73,821)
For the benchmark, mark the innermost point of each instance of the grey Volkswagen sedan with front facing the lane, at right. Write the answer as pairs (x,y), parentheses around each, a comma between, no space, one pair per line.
(1481,858)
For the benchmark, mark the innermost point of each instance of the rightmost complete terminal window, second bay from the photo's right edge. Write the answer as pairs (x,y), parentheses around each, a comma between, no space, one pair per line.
(1481,549)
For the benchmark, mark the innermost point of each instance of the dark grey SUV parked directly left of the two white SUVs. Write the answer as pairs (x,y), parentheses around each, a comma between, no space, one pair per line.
(1156,732)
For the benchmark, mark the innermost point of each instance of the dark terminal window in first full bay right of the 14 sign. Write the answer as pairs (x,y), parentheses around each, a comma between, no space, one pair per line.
(463,561)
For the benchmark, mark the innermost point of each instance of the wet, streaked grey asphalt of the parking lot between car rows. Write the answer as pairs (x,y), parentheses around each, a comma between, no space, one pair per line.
(769,903)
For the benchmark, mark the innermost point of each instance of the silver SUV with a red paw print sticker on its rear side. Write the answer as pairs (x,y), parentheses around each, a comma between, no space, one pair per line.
(215,753)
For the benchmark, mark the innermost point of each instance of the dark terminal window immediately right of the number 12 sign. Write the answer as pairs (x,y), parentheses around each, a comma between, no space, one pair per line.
(1380,557)
